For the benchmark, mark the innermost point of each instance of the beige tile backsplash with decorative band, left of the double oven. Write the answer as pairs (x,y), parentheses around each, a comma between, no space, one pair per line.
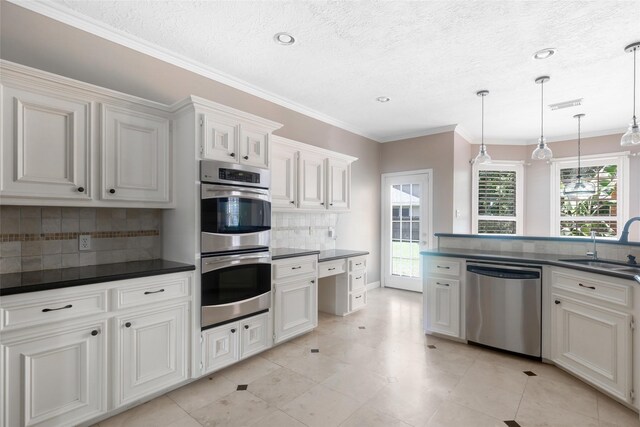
(41,238)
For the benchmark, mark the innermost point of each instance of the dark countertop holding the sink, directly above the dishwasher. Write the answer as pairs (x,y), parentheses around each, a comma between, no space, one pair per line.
(527,258)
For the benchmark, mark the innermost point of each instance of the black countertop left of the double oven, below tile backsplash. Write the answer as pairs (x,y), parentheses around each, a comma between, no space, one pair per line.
(42,280)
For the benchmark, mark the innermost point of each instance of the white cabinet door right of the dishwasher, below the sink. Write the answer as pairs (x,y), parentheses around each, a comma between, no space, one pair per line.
(593,343)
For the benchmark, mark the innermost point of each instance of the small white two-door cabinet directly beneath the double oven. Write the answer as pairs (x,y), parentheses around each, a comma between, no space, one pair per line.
(229,343)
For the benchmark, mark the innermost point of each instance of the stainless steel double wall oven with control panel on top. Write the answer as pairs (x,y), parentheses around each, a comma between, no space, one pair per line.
(235,218)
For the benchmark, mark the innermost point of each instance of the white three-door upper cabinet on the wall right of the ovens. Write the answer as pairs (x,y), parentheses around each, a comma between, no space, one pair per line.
(306,177)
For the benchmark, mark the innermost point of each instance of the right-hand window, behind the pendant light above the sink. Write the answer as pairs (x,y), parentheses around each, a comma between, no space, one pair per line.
(605,211)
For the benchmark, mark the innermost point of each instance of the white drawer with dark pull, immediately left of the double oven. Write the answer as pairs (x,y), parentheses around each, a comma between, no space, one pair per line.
(153,291)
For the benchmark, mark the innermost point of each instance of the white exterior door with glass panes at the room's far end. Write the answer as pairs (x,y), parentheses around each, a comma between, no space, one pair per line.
(405,214)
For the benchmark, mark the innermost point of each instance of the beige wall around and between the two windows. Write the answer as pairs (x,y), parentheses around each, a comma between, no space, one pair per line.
(538,176)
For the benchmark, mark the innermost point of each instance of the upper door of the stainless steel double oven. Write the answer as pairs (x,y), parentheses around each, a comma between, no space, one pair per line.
(230,210)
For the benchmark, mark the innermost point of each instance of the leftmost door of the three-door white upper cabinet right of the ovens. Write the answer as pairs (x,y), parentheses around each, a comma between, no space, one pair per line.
(283,176)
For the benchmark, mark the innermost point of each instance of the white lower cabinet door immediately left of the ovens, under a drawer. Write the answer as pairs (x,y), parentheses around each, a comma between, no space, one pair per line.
(151,352)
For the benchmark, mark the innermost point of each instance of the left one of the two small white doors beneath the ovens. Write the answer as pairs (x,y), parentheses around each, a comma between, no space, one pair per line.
(220,347)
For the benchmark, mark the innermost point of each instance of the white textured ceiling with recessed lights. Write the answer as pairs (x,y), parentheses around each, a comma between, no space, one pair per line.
(429,57)
